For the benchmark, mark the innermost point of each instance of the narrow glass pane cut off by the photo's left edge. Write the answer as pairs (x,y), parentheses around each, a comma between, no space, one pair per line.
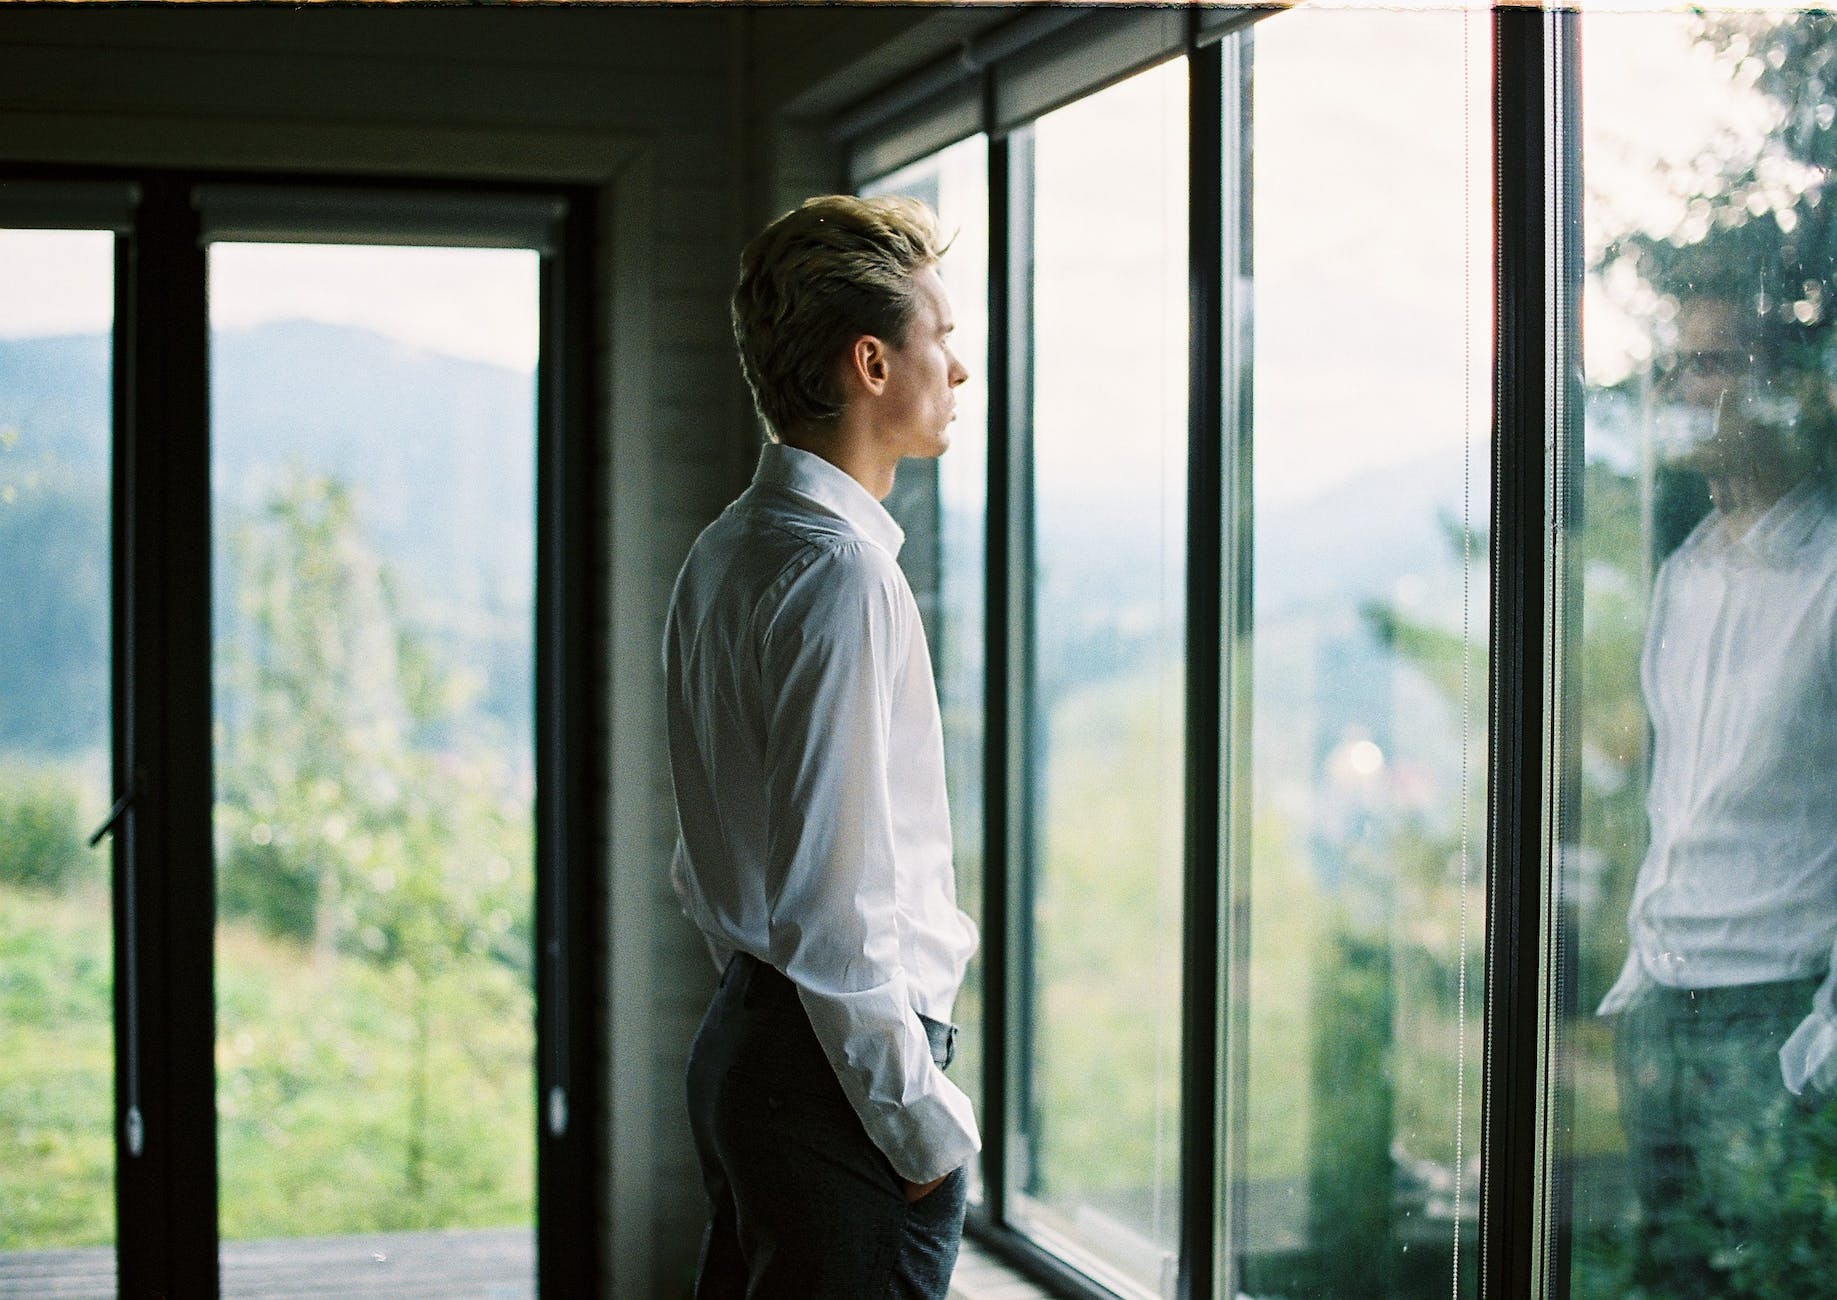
(56,943)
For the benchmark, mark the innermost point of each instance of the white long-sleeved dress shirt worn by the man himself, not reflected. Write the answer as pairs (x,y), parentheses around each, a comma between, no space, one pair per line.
(809,767)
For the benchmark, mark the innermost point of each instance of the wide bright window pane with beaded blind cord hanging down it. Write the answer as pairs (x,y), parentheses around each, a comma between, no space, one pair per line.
(1360,790)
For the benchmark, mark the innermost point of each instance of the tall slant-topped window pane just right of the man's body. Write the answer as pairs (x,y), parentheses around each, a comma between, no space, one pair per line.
(1099,1079)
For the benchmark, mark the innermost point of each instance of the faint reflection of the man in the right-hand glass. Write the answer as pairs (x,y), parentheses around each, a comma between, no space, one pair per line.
(1728,1033)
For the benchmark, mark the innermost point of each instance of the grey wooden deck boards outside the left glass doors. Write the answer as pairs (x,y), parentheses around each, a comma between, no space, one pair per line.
(486,1264)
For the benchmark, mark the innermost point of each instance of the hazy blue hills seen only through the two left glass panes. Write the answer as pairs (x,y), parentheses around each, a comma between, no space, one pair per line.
(442,453)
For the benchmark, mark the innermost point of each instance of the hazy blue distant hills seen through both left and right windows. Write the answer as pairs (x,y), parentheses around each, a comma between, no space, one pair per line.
(453,442)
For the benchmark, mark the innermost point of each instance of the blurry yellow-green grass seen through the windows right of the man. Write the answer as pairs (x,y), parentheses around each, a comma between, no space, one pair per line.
(1109,967)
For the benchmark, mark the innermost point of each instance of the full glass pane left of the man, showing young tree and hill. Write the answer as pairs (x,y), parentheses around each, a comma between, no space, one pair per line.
(374,552)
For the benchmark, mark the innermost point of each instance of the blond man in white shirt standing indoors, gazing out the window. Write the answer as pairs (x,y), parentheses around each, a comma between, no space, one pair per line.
(809,767)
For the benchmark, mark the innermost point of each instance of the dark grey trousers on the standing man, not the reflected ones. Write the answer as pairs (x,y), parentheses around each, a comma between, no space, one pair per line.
(802,1200)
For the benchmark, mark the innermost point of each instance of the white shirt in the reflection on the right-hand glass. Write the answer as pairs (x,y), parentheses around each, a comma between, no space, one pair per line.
(1741,680)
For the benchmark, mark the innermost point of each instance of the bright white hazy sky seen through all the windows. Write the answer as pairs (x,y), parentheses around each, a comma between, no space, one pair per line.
(1371,293)
